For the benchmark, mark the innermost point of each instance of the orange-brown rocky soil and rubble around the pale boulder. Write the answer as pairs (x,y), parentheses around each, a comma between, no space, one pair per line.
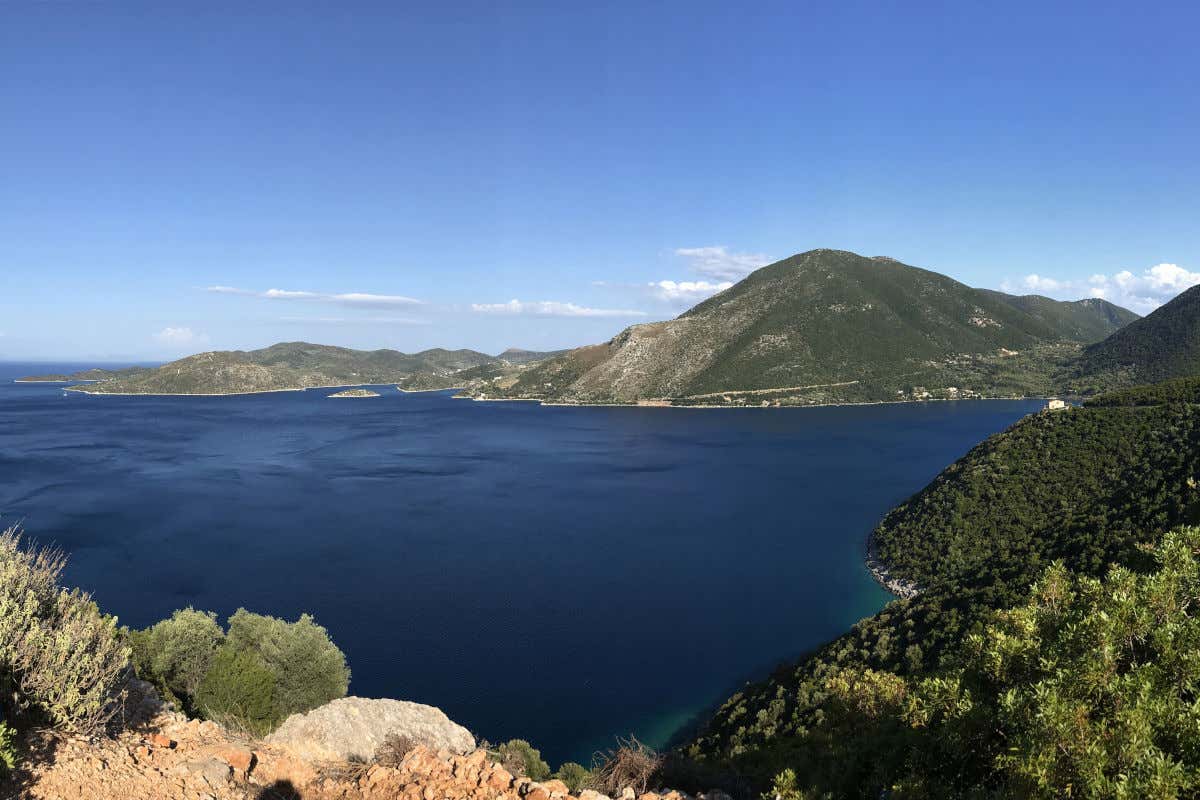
(165,756)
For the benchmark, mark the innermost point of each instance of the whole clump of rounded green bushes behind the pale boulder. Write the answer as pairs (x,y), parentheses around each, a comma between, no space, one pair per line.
(253,677)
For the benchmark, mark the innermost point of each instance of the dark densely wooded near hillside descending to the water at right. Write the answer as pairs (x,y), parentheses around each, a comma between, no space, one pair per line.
(1087,486)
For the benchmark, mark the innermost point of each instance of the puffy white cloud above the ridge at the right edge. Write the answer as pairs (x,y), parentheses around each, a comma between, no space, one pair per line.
(1143,292)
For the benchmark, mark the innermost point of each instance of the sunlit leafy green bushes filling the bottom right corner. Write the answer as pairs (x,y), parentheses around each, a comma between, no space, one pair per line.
(1089,689)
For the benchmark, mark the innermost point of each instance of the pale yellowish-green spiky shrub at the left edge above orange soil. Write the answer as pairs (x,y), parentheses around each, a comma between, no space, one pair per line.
(61,655)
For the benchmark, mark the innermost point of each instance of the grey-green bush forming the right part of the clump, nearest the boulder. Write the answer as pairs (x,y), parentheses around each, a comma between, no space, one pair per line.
(310,671)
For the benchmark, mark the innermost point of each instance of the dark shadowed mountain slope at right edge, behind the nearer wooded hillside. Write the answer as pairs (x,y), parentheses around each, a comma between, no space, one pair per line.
(1163,345)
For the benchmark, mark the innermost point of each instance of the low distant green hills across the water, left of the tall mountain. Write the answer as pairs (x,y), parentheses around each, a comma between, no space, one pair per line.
(293,365)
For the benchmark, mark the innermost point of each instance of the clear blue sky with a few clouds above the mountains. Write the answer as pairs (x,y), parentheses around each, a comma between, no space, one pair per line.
(490,176)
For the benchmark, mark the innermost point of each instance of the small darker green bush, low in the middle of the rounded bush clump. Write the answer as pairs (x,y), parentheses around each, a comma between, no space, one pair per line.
(239,691)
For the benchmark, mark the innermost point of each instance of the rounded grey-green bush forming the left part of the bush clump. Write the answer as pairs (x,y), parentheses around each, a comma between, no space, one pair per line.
(177,653)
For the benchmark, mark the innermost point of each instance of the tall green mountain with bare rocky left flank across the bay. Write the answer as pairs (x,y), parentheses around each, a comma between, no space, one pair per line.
(831,327)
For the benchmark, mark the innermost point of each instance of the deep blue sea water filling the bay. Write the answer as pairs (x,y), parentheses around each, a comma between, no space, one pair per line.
(562,575)
